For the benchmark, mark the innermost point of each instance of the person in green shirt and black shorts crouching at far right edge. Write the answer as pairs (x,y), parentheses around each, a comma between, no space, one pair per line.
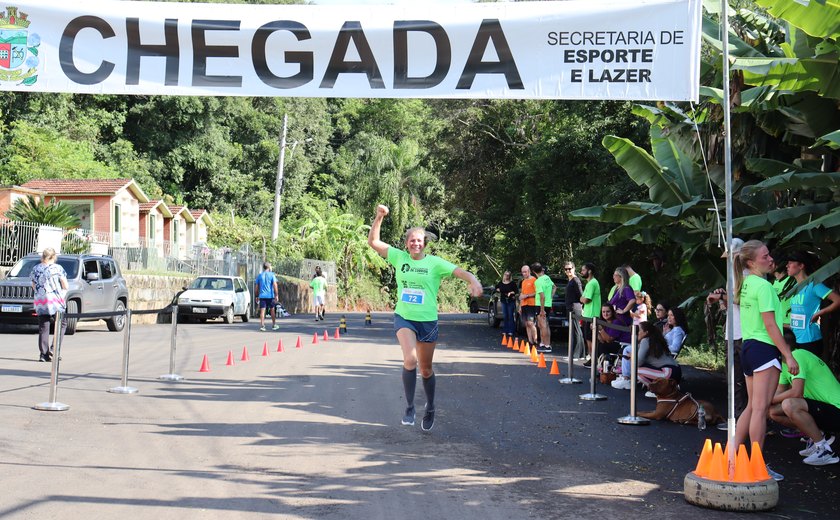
(809,401)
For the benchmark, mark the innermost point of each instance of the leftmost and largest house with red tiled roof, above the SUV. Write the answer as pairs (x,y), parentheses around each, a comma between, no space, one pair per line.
(107,207)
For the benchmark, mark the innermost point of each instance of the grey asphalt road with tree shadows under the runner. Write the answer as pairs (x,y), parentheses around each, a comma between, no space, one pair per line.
(315,433)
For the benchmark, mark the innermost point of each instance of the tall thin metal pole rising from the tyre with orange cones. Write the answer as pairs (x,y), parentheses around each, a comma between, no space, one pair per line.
(730,266)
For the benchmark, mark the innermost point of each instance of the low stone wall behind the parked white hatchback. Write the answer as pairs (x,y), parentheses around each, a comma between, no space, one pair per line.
(147,292)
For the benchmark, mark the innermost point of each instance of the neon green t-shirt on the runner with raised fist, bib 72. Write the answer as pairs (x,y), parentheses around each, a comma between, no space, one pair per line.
(418,282)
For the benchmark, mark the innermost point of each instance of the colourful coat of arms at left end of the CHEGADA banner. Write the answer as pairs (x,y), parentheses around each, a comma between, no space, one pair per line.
(18,48)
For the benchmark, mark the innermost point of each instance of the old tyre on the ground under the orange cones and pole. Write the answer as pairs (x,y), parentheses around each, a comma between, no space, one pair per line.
(731,496)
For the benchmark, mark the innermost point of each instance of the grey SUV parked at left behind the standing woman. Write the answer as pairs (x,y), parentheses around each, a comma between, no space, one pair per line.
(95,284)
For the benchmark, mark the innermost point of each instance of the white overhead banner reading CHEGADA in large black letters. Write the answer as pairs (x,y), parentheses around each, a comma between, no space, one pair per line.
(578,49)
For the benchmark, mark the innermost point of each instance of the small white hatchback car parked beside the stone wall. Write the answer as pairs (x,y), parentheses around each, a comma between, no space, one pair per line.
(214,296)
